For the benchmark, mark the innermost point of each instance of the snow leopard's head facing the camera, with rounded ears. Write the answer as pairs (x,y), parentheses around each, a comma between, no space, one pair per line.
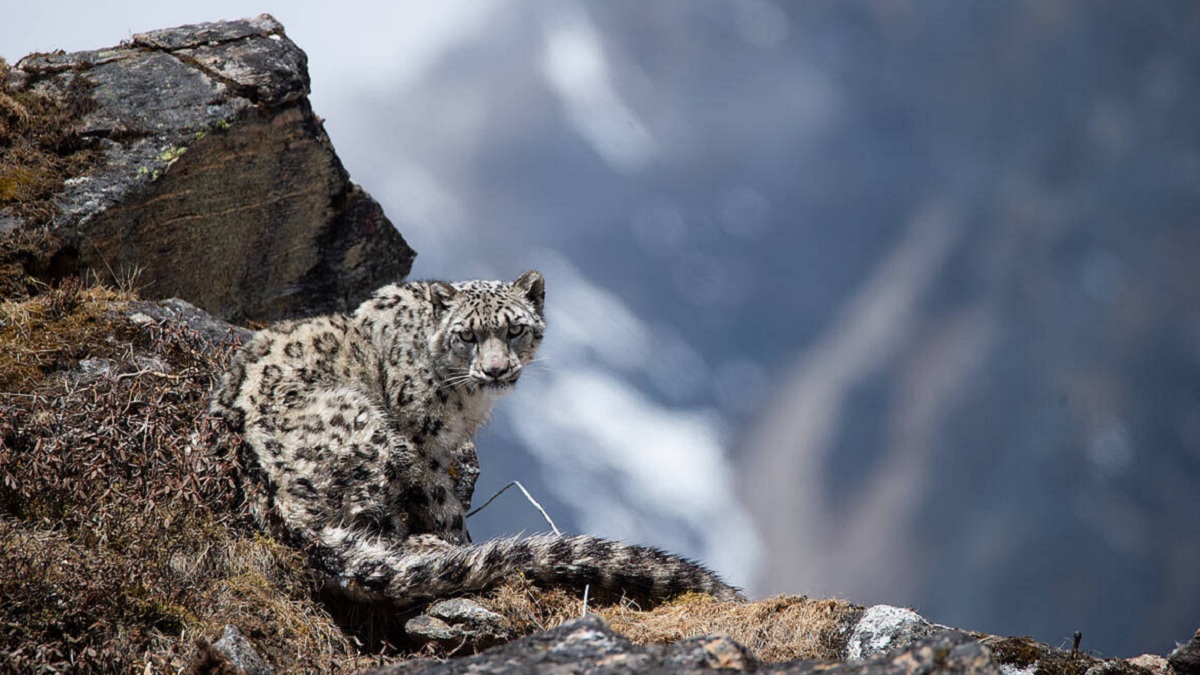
(488,331)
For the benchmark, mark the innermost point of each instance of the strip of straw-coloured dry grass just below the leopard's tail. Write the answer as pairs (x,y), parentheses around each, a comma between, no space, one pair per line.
(781,629)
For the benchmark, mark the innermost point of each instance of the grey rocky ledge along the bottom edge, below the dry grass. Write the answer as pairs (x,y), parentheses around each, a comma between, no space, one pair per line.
(885,641)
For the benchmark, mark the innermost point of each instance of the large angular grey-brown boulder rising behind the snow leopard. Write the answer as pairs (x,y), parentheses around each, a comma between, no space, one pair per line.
(219,183)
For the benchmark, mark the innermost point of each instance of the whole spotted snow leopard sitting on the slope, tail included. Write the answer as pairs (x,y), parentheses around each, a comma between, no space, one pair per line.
(361,434)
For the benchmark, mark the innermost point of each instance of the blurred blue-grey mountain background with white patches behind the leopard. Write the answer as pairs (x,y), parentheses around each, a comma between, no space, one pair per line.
(892,301)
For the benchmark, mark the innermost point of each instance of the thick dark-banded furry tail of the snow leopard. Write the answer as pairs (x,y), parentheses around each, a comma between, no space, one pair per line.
(424,569)
